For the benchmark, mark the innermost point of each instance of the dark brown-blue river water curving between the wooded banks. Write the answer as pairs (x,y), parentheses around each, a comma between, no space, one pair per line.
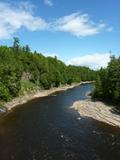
(48,129)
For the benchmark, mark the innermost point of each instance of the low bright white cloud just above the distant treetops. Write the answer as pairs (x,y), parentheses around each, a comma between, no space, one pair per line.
(94,61)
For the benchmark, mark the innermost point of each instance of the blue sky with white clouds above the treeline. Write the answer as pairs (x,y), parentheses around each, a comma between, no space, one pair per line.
(79,32)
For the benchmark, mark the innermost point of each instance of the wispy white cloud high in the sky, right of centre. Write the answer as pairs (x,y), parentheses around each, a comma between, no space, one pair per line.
(78,25)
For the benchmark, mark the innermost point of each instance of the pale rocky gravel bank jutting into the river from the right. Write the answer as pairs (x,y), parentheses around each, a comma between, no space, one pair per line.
(98,111)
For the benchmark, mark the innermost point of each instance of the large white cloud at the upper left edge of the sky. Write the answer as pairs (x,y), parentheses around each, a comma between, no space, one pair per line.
(13,18)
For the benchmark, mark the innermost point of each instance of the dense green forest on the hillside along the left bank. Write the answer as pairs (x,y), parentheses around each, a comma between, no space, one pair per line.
(22,70)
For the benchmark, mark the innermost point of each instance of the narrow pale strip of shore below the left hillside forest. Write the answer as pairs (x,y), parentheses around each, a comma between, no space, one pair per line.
(37,94)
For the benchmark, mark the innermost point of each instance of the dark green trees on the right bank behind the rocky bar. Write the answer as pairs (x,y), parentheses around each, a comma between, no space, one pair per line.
(107,84)
